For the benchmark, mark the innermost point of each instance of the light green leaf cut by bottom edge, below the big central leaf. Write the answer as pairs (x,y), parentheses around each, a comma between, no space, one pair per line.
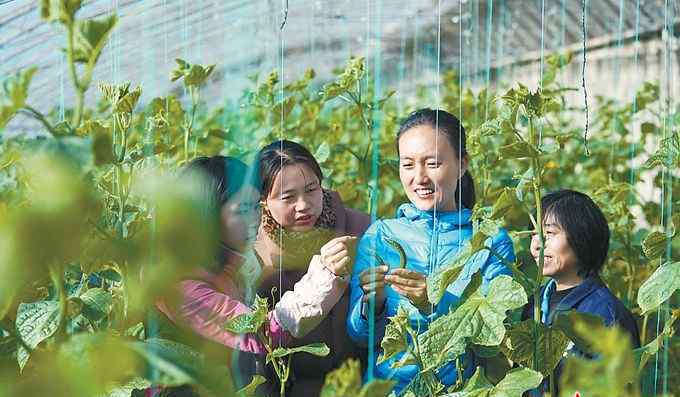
(515,383)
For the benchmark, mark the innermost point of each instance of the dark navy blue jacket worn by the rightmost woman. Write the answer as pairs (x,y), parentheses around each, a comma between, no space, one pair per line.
(592,297)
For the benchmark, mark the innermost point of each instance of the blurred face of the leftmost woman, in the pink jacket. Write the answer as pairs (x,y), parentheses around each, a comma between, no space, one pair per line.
(241,218)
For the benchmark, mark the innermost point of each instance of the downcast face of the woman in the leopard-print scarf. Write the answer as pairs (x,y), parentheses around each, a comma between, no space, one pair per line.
(296,199)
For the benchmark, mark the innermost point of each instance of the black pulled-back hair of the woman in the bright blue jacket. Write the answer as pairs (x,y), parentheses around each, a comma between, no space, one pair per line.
(451,127)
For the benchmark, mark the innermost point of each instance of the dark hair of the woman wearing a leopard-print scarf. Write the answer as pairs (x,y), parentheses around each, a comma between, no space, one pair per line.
(278,154)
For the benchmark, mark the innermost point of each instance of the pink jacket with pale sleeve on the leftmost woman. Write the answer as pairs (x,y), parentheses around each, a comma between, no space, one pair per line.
(209,301)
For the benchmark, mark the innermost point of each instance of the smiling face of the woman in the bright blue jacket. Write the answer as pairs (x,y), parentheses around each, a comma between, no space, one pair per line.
(429,168)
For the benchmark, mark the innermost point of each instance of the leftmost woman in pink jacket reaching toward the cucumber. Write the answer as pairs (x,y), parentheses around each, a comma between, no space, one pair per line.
(223,290)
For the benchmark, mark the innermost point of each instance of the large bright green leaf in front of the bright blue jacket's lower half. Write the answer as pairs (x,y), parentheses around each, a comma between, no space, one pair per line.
(478,320)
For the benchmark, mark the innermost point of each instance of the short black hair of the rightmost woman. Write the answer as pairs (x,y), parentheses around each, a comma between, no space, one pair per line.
(584,224)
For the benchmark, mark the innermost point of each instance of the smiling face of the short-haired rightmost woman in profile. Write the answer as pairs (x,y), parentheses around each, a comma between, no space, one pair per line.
(560,260)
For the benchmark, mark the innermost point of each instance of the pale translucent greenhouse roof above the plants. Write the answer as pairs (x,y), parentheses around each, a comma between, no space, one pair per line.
(245,37)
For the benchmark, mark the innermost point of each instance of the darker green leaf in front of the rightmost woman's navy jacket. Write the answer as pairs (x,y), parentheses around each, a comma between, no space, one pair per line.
(527,338)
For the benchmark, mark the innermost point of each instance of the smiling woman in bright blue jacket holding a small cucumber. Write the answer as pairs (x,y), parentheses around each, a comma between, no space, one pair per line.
(432,228)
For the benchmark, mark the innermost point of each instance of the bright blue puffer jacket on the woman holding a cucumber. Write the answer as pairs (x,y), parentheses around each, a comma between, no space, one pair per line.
(429,243)
